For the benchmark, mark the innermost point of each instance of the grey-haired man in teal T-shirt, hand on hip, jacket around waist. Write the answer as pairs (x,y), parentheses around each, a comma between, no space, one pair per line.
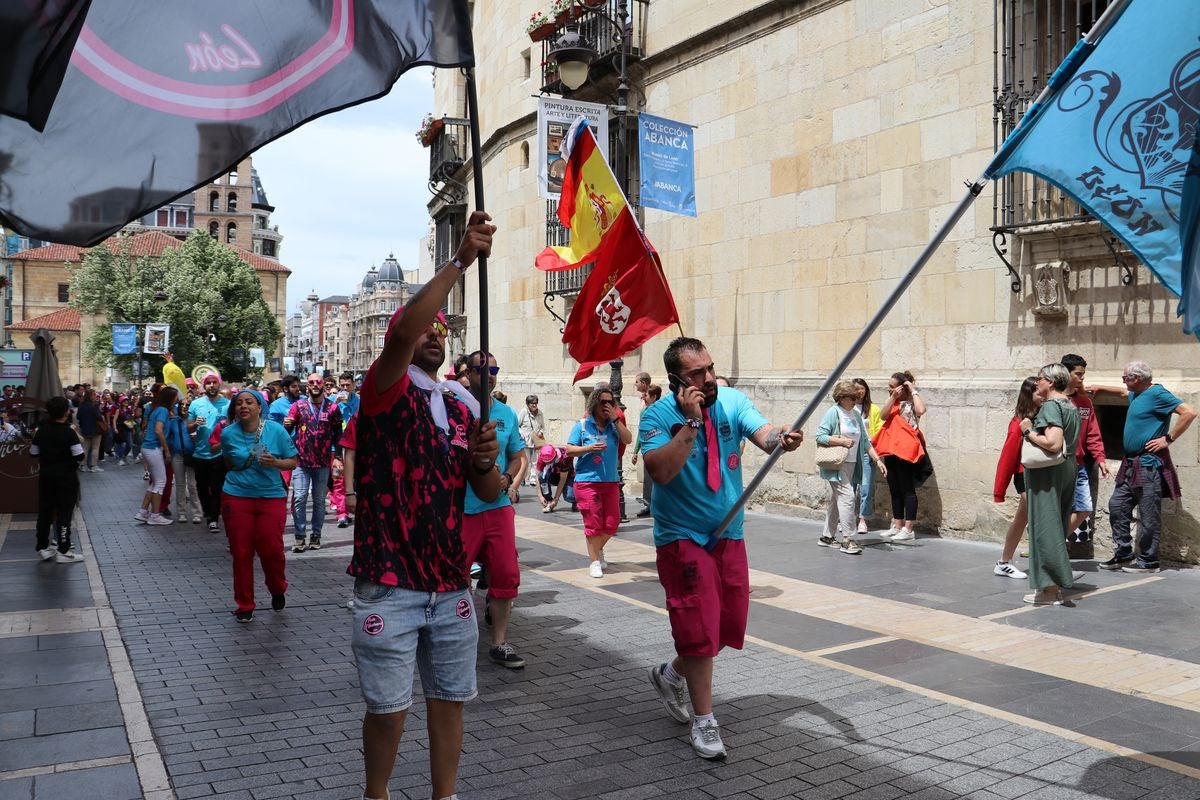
(1147,471)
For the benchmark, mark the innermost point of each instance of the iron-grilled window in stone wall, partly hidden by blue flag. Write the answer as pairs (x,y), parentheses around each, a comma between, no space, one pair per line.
(1031,40)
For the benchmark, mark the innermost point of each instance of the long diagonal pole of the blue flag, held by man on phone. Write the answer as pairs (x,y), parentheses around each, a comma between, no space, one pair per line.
(1060,77)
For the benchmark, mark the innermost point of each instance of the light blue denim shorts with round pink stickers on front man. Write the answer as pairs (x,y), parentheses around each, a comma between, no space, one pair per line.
(397,630)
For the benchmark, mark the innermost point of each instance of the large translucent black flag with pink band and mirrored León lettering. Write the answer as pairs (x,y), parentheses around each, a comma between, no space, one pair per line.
(163,98)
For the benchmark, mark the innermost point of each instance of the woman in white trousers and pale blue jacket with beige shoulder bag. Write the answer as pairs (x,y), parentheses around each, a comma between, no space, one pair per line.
(843,431)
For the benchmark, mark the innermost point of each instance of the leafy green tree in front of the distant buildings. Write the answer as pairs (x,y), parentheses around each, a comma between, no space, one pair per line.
(203,280)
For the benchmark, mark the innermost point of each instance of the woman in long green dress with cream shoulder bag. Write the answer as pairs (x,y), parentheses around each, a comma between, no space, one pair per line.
(1052,490)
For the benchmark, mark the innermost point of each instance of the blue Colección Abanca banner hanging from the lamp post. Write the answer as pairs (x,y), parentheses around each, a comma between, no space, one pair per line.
(667,165)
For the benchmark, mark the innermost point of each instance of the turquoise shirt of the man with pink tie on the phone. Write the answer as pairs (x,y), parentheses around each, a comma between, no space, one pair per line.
(687,508)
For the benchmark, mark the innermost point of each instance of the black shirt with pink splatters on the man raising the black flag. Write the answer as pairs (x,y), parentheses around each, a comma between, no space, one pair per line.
(412,484)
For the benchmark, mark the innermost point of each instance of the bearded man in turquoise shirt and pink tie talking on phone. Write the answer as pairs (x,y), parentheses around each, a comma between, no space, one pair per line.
(692,443)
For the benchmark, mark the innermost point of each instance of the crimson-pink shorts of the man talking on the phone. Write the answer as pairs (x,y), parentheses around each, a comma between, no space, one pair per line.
(709,596)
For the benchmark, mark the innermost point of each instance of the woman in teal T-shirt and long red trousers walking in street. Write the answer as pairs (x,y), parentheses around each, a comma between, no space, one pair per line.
(254,502)
